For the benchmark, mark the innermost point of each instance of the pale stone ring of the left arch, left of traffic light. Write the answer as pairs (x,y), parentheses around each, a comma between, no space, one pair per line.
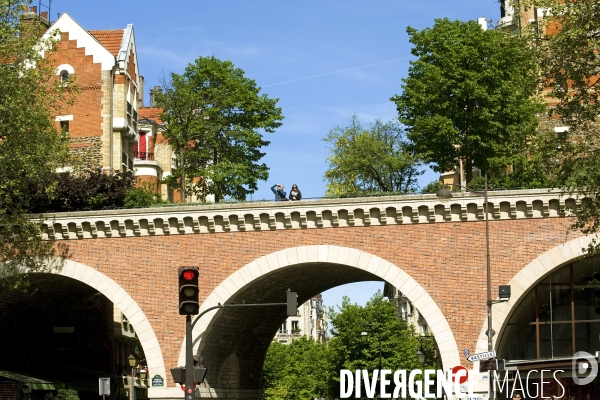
(120,298)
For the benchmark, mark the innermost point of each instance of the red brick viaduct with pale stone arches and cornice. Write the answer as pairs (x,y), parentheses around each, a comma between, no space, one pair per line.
(433,251)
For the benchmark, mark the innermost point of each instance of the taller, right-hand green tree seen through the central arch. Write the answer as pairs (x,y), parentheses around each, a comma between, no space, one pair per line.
(399,345)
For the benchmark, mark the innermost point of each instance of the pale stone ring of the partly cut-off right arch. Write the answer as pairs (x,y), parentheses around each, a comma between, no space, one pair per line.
(526,279)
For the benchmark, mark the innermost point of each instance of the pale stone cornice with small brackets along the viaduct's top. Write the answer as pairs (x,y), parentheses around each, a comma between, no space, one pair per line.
(319,214)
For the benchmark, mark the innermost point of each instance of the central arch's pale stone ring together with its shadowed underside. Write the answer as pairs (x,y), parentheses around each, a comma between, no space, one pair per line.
(233,342)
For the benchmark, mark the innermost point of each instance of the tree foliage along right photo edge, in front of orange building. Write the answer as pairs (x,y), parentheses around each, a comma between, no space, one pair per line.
(568,42)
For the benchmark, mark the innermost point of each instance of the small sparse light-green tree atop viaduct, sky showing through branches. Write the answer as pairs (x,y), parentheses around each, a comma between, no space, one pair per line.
(367,159)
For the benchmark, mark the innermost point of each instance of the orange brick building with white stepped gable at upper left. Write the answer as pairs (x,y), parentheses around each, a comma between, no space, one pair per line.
(102,124)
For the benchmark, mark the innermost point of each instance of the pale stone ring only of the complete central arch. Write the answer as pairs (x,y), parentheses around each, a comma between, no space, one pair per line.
(344,257)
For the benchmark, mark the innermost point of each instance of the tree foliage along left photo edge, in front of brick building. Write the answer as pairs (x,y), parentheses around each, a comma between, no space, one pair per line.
(30,147)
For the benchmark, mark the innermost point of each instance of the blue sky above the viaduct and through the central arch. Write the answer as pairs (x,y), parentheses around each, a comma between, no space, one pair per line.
(323,59)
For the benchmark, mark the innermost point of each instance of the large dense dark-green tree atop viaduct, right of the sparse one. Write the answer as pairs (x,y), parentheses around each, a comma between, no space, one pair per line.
(470,95)
